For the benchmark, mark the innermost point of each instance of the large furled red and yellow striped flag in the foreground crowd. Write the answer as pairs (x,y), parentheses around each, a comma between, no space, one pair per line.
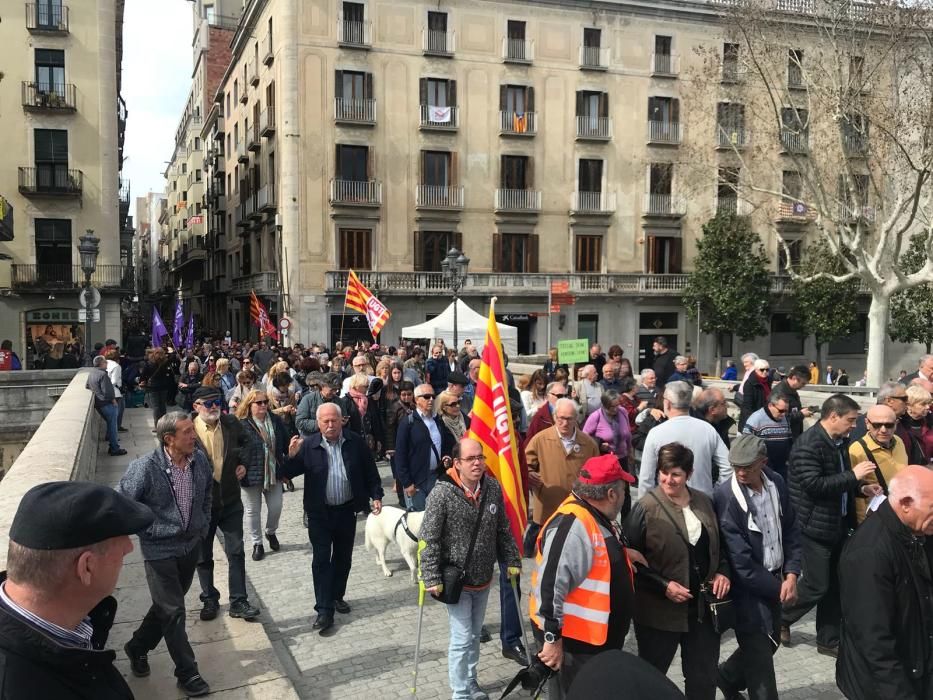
(491,425)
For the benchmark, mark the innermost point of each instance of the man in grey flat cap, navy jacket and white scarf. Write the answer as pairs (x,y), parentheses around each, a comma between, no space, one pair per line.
(762,542)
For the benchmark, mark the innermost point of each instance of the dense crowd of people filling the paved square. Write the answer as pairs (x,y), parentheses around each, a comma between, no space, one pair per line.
(650,506)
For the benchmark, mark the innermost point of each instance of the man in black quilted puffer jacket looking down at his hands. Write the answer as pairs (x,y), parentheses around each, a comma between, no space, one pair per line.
(823,486)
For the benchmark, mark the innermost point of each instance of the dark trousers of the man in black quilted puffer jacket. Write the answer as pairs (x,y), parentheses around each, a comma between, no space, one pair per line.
(819,586)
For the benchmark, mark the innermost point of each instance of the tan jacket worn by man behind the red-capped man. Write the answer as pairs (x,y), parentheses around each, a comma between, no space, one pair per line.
(545,454)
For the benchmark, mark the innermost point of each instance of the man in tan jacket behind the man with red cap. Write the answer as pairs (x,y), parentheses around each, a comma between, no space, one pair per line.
(554,458)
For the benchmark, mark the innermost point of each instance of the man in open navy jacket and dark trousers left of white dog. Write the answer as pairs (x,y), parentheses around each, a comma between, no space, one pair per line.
(340,479)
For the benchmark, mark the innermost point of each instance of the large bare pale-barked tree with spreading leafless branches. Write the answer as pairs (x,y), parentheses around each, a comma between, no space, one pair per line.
(843,91)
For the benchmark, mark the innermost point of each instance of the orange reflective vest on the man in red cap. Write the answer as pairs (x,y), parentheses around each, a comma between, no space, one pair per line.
(586,607)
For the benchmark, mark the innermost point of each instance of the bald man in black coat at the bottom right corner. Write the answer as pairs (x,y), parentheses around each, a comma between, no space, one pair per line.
(885,579)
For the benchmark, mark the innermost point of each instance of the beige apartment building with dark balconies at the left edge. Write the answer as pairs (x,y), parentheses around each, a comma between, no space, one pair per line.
(61,135)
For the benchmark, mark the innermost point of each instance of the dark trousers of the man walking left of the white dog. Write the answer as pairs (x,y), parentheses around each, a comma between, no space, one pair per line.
(331,532)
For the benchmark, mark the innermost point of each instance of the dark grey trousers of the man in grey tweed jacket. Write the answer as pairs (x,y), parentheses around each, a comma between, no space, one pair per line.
(169,581)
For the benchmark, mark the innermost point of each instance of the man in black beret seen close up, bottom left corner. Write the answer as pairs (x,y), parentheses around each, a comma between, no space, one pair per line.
(67,544)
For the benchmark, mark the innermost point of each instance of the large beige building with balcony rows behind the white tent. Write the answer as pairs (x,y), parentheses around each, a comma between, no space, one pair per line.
(566,150)
